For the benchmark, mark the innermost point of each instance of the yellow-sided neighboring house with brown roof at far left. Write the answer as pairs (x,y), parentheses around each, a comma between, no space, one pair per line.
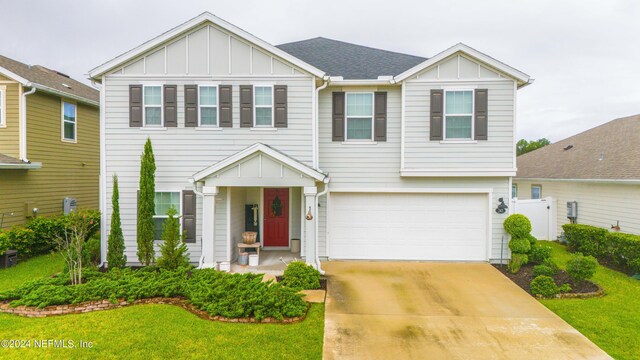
(49,142)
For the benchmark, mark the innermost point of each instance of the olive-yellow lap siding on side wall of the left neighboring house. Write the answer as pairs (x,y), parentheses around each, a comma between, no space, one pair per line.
(68,169)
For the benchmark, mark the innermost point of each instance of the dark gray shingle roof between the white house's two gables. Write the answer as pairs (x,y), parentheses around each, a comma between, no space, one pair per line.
(350,61)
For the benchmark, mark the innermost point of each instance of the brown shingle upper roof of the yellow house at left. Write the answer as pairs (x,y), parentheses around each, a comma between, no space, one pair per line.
(50,78)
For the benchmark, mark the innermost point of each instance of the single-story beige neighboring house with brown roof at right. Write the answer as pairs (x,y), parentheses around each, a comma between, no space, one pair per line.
(599,169)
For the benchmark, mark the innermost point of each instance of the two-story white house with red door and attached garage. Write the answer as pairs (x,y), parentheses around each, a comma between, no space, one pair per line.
(359,152)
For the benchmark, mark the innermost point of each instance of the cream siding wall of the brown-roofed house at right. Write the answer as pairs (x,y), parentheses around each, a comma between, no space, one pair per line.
(601,205)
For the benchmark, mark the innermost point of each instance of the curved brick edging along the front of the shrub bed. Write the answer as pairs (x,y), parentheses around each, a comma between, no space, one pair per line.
(55,310)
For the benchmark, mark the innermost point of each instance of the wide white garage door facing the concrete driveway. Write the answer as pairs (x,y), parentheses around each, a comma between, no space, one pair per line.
(408,226)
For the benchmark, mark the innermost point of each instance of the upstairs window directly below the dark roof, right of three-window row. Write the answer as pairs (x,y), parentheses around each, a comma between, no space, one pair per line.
(359,117)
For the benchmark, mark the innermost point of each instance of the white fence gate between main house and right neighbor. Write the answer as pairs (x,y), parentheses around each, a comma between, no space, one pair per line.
(541,213)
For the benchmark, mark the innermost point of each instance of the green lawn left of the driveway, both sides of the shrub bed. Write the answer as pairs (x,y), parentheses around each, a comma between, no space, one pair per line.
(153,331)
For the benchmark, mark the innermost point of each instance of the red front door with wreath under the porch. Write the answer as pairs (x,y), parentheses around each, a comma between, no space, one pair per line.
(276,217)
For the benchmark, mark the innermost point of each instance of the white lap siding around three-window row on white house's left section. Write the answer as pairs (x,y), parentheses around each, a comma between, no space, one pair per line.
(180,152)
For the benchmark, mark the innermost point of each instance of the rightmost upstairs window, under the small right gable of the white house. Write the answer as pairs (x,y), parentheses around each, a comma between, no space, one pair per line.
(458,115)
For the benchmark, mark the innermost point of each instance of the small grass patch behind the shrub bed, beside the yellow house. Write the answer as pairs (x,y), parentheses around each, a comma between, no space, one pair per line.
(31,269)
